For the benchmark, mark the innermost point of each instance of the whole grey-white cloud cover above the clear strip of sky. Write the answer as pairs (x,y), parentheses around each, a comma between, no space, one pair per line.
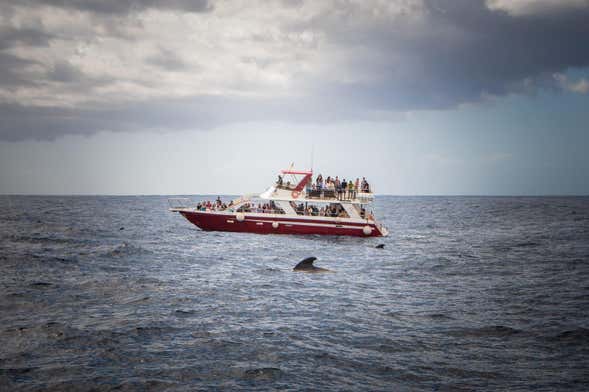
(186,64)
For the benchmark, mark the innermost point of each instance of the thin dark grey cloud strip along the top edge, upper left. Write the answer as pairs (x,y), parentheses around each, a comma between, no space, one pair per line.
(127,6)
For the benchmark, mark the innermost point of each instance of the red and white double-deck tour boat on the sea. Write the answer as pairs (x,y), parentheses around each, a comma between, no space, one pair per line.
(289,208)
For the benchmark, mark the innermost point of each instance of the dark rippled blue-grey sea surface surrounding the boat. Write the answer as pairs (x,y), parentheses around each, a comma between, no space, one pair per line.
(469,293)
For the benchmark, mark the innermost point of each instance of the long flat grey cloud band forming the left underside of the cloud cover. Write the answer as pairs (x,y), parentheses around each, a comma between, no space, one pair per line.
(204,112)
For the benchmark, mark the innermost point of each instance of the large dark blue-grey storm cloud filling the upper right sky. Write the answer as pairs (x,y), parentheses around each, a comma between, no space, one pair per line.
(461,53)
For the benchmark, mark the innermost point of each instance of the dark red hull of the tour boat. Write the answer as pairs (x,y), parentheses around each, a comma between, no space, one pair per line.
(260,224)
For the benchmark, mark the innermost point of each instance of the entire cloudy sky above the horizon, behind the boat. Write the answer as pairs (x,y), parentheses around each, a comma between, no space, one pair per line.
(422,97)
